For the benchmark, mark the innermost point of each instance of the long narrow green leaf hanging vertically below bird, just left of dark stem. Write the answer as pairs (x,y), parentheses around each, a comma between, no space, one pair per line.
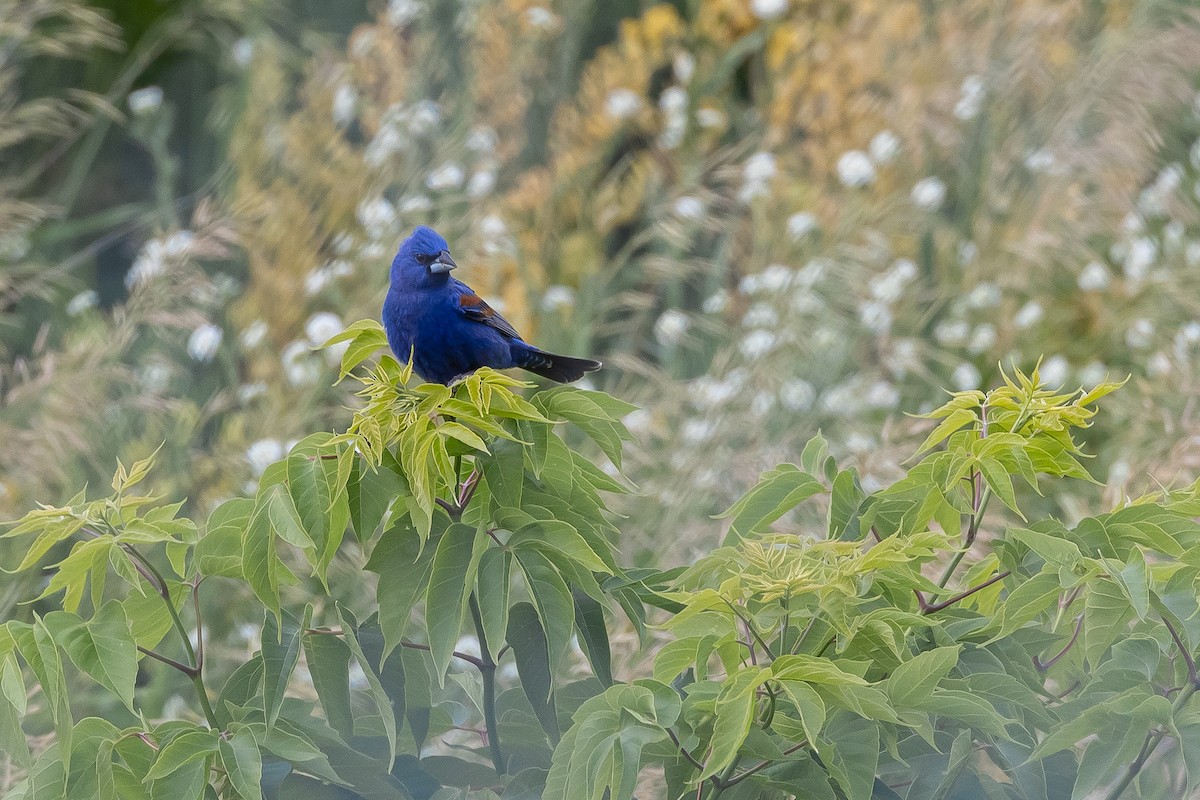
(446,601)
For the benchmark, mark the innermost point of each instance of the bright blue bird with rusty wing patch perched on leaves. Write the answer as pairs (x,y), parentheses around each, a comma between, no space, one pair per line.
(448,330)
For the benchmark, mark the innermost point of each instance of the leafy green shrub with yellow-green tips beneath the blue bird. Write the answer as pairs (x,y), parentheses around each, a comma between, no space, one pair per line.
(905,647)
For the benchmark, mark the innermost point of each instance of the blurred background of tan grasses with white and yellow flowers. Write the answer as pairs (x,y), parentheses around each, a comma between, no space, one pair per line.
(770,218)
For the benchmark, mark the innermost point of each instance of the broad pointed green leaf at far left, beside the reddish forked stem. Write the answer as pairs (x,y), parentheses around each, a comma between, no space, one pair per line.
(104,648)
